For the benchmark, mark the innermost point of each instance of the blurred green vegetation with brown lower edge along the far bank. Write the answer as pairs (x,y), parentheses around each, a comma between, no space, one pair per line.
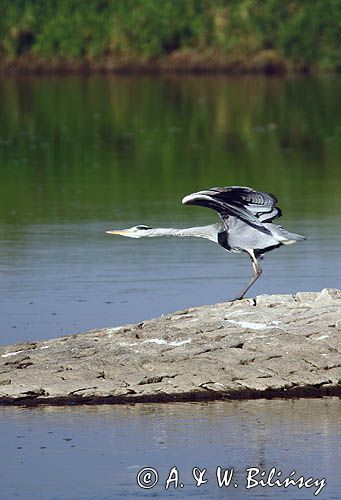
(271,35)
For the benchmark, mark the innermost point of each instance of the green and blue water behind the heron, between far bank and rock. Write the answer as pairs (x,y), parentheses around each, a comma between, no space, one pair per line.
(79,156)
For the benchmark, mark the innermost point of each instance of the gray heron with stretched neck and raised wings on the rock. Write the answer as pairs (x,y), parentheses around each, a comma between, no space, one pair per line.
(245,224)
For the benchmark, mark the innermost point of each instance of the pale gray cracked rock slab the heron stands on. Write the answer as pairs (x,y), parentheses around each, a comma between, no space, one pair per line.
(270,346)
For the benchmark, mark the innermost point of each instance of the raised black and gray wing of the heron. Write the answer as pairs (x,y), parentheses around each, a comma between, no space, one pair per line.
(253,207)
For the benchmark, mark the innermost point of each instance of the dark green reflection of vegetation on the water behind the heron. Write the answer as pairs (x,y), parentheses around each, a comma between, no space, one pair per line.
(113,148)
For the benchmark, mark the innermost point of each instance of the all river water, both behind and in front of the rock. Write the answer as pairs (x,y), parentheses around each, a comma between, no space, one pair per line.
(79,156)
